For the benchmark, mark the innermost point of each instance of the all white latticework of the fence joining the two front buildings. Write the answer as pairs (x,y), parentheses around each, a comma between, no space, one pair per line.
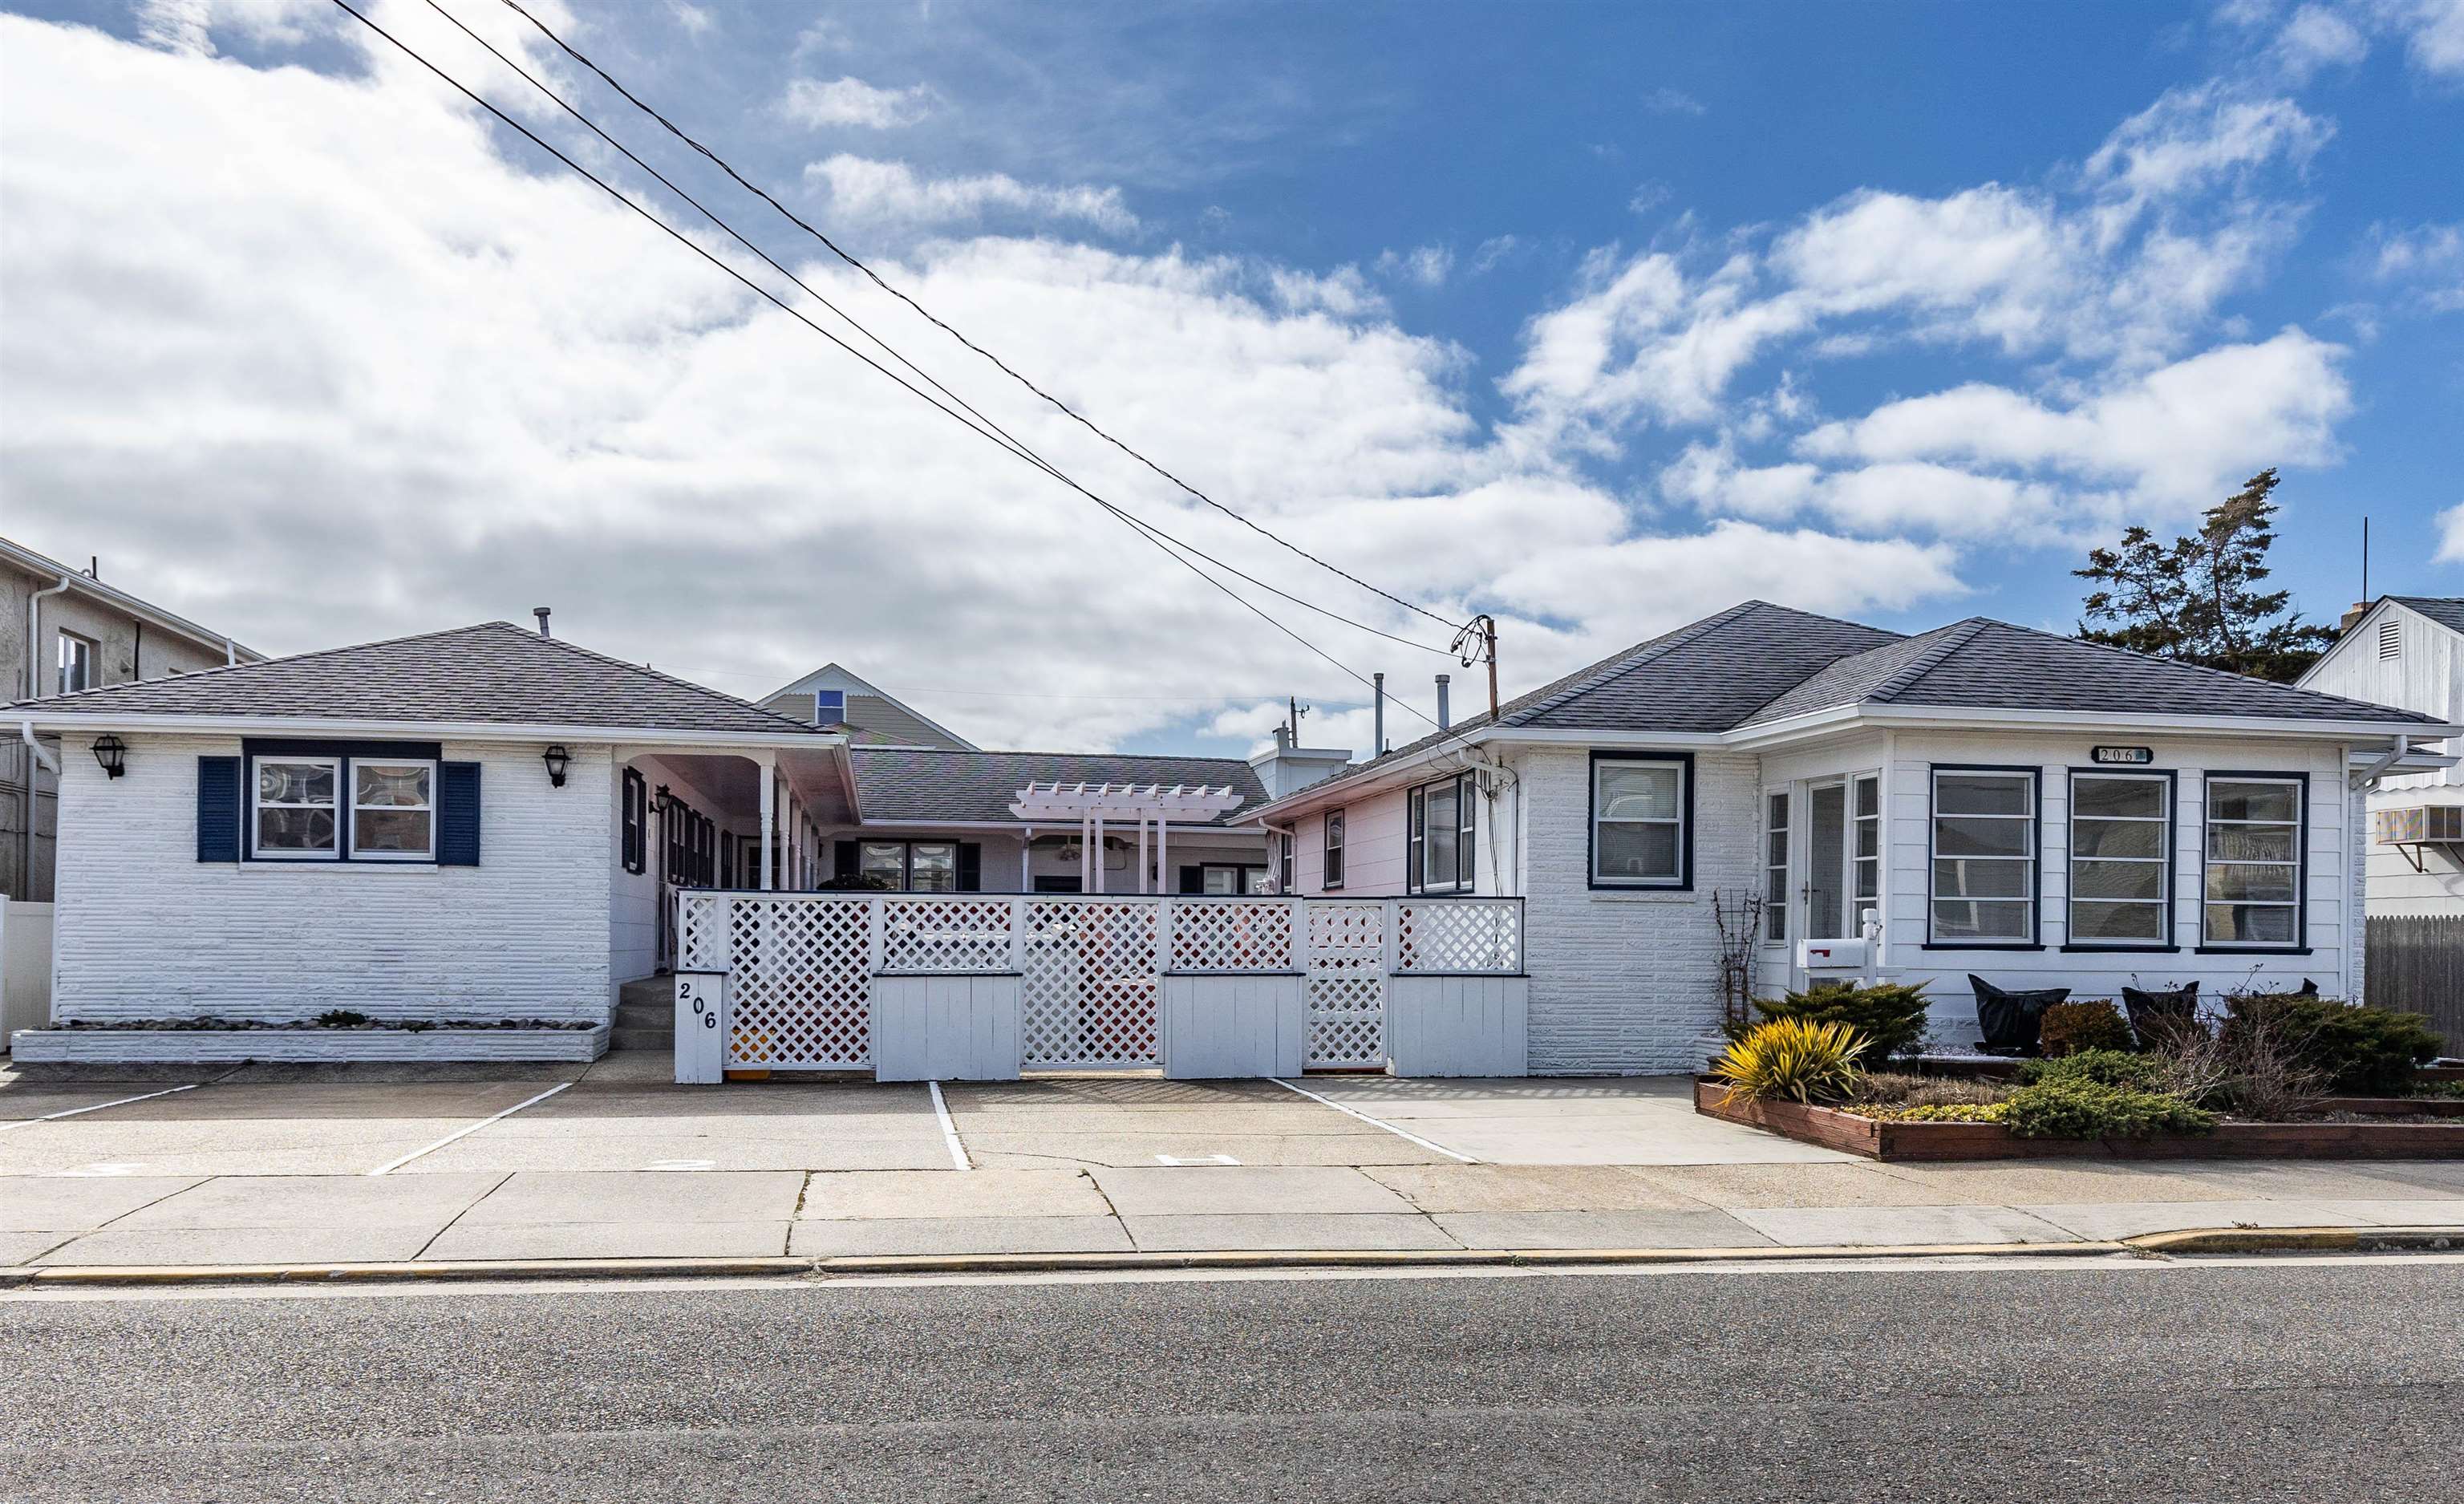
(1090,968)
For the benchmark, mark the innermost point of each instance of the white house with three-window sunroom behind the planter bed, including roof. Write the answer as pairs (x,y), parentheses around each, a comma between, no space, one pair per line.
(2007,803)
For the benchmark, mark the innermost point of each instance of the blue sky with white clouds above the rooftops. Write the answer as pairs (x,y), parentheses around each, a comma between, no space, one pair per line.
(1595,317)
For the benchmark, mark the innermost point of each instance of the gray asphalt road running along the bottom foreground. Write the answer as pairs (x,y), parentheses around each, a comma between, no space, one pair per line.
(2078,1384)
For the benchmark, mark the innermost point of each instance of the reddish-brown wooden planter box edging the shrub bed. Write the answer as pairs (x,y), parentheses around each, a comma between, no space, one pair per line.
(1992,1140)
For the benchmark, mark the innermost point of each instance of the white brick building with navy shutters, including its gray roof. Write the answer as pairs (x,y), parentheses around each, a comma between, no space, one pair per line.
(469,825)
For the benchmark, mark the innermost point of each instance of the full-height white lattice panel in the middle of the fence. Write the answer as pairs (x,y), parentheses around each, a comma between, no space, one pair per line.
(1090,995)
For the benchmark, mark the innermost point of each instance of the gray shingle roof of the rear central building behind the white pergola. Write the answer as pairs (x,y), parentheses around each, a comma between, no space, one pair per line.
(918,785)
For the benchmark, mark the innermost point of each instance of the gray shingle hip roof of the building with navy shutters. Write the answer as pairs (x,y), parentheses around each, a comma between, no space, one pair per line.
(472,674)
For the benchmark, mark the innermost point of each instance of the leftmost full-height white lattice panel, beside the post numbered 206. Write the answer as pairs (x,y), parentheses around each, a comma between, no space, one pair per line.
(800,983)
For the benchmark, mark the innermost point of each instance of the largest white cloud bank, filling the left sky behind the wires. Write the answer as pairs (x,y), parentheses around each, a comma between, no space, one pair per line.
(349,346)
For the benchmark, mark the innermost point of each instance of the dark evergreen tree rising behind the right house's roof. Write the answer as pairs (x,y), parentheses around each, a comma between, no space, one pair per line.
(2199,598)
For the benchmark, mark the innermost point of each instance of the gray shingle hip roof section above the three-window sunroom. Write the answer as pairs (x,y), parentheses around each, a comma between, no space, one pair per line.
(1997,667)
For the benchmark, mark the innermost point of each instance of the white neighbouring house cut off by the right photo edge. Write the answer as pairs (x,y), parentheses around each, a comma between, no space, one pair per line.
(2409,652)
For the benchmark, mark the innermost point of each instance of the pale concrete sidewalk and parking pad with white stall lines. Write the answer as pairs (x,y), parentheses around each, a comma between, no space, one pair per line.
(280,1172)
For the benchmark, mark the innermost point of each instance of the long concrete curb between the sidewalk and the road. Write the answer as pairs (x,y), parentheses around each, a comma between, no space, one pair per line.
(1327,1259)
